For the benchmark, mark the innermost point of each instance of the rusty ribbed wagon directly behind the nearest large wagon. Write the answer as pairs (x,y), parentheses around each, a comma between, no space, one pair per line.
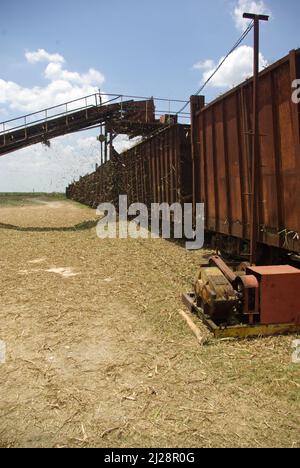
(159,169)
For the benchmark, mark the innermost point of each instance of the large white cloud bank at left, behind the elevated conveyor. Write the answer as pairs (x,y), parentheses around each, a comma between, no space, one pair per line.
(38,167)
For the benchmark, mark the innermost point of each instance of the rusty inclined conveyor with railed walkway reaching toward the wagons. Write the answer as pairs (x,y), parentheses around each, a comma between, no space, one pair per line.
(134,117)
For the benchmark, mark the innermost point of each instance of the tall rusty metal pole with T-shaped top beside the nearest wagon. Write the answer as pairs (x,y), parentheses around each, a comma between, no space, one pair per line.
(256,139)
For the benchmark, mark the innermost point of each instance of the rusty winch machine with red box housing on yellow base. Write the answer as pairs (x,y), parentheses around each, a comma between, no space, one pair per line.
(239,300)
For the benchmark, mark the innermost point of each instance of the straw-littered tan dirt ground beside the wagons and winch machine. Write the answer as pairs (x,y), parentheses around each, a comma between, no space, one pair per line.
(98,354)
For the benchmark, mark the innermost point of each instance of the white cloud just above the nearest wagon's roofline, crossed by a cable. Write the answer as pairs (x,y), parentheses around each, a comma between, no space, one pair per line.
(237,68)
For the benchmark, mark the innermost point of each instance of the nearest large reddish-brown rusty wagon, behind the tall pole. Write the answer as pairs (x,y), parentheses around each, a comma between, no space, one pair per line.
(222,154)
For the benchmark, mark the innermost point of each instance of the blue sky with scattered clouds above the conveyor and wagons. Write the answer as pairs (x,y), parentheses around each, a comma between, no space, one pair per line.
(138,47)
